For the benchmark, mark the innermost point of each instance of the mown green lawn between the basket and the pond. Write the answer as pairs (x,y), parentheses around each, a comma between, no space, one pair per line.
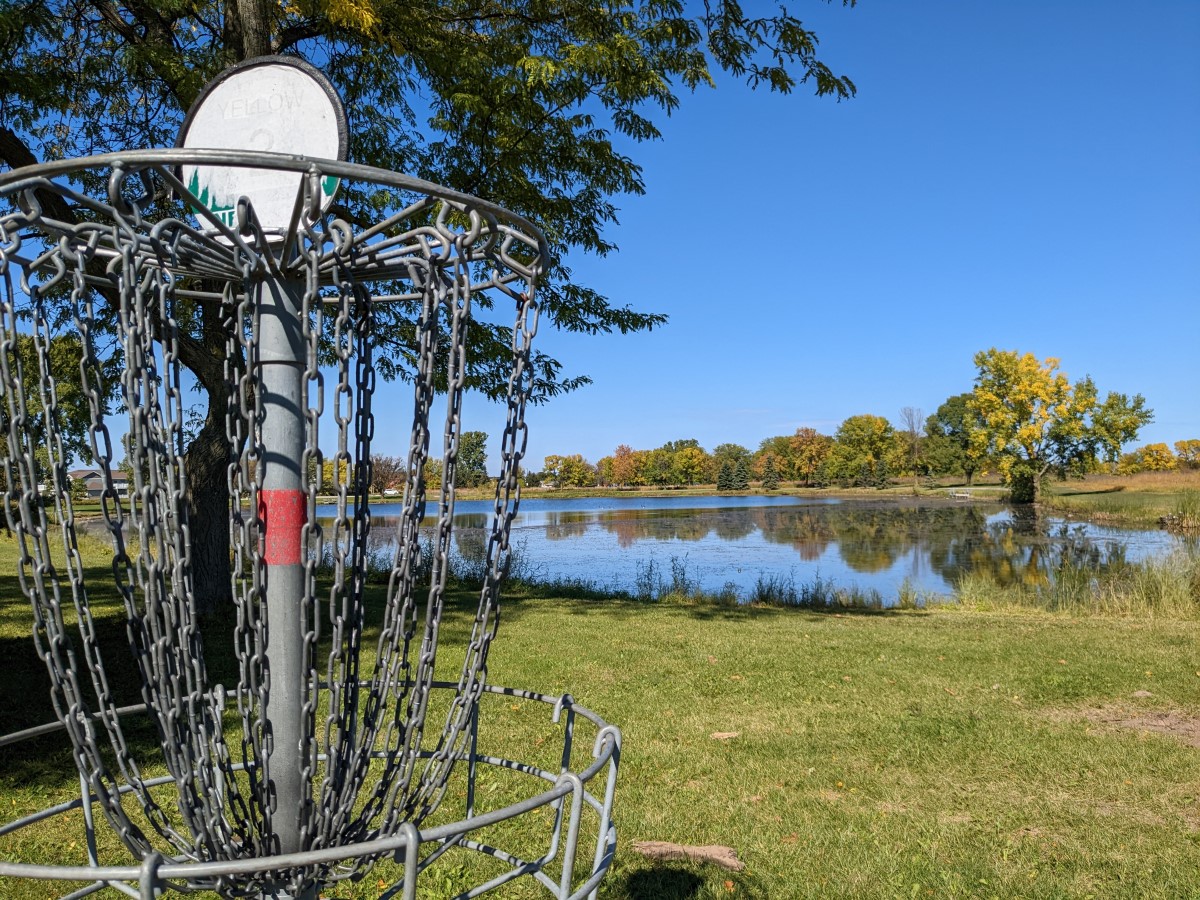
(950,753)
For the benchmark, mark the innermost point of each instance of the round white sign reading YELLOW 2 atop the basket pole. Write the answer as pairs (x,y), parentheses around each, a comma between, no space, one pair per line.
(275,105)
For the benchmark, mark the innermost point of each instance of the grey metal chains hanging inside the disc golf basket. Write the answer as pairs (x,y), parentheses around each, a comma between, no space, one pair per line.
(380,763)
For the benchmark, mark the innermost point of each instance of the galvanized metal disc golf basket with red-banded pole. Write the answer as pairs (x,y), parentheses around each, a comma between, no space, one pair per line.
(335,742)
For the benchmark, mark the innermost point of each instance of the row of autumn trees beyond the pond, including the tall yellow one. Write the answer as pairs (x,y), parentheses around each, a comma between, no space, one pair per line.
(1024,419)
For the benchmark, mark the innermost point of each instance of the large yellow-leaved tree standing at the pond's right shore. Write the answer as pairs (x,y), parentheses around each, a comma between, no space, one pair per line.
(1033,421)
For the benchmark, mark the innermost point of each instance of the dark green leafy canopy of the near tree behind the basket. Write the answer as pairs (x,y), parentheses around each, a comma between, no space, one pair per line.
(530,104)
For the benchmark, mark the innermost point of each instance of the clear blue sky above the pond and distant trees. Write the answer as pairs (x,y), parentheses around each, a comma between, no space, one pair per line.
(1019,175)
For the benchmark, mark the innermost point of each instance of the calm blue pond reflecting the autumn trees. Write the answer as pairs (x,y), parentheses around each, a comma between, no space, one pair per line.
(736,543)
